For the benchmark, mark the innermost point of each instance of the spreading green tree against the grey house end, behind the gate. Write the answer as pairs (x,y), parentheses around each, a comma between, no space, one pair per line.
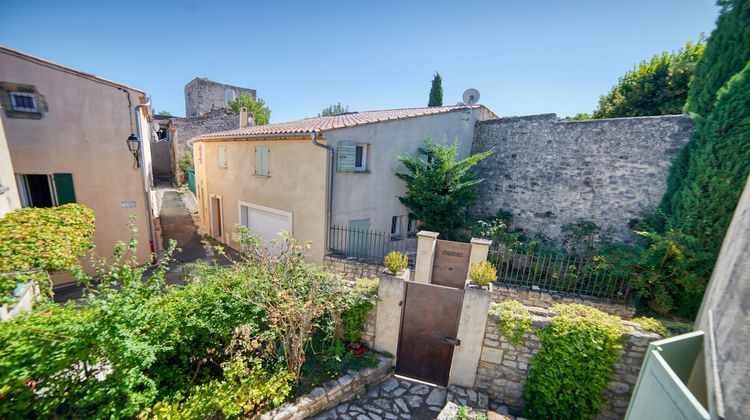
(439,189)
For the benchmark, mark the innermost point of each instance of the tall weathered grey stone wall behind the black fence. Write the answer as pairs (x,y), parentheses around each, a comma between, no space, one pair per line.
(549,173)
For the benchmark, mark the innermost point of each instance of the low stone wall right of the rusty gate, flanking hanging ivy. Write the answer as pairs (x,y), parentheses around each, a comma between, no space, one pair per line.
(503,367)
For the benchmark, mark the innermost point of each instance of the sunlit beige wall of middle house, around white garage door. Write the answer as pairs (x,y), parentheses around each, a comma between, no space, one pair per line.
(297,184)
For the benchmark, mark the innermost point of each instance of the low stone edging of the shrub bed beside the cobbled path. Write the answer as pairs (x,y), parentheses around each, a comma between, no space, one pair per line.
(332,393)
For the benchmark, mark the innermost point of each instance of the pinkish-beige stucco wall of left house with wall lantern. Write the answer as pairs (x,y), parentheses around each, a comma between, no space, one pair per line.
(83,132)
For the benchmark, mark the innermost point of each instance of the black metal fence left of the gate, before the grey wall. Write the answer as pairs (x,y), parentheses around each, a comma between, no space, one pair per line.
(369,246)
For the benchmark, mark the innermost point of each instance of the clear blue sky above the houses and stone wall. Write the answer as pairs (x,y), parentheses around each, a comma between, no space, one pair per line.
(525,57)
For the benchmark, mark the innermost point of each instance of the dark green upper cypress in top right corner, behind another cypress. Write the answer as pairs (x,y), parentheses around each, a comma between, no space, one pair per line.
(727,52)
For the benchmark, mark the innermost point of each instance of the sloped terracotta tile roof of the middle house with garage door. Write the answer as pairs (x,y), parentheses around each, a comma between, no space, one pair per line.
(321,124)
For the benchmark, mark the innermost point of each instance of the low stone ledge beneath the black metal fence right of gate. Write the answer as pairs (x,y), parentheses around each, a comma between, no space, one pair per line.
(547,298)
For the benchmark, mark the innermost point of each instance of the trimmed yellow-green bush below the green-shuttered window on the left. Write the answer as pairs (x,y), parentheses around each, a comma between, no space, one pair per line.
(52,239)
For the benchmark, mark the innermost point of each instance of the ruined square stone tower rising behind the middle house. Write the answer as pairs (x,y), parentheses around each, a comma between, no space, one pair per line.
(203,95)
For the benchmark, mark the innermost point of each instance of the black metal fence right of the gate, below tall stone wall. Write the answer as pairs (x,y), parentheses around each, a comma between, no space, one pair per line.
(559,273)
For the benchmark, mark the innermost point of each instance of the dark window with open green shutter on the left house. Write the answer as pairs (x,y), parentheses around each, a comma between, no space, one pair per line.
(45,190)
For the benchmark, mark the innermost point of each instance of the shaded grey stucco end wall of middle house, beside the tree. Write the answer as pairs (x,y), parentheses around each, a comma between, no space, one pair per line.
(374,195)
